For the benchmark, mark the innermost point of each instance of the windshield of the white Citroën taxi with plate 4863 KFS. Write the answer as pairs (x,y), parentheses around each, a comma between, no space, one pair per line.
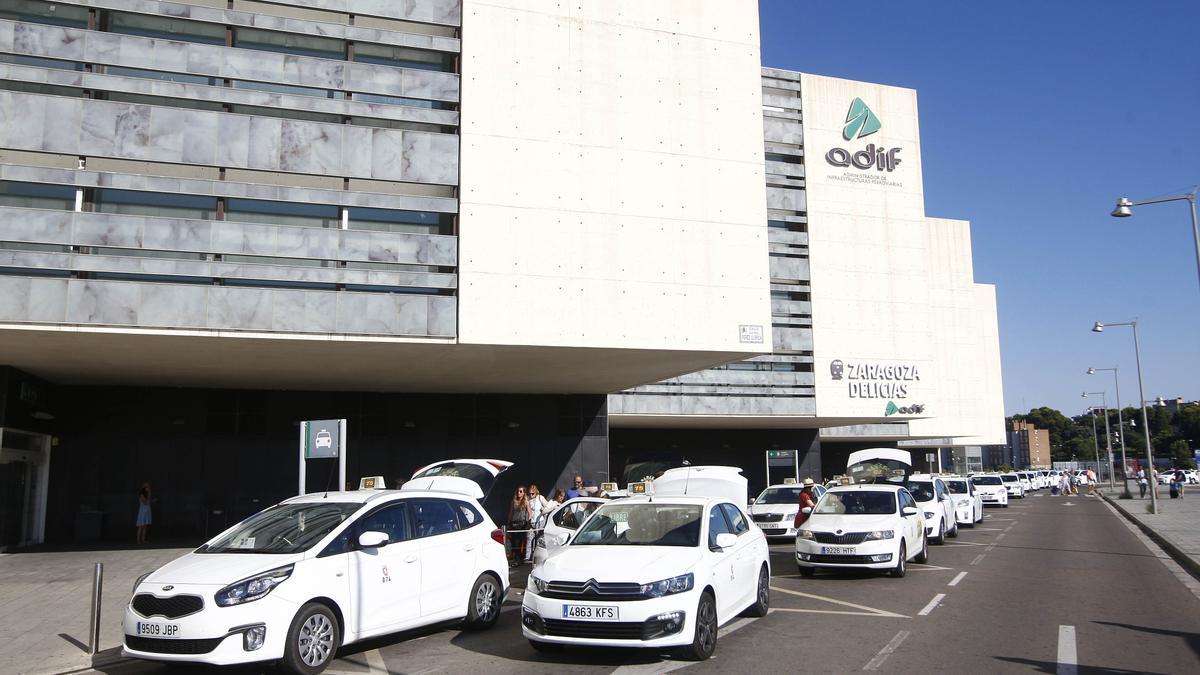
(641,525)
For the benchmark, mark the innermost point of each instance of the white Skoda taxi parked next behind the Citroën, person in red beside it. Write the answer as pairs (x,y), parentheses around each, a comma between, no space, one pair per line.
(873,527)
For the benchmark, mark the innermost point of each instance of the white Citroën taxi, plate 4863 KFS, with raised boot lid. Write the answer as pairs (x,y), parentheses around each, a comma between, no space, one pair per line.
(665,570)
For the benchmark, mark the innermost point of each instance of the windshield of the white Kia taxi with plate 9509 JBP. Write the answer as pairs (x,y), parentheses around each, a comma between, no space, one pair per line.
(286,529)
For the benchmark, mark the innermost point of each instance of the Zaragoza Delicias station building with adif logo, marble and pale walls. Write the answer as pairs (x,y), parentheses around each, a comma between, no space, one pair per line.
(470,228)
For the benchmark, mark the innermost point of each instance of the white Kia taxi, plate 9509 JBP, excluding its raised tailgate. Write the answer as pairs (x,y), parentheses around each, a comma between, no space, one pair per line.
(299,581)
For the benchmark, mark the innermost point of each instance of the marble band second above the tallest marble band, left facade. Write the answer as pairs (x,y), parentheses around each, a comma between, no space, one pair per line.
(160,55)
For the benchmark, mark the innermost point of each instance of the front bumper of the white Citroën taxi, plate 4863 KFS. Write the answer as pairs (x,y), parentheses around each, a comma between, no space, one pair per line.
(641,624)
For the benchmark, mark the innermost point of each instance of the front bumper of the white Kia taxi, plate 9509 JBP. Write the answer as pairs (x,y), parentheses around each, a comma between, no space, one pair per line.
(214,635)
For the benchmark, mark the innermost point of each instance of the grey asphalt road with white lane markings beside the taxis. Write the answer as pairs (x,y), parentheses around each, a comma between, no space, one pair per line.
(1036,587)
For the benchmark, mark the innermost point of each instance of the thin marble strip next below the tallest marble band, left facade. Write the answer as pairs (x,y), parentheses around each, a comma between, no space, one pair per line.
(221,188)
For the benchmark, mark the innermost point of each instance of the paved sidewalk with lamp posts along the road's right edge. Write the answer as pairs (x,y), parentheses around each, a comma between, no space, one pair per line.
(1177,525)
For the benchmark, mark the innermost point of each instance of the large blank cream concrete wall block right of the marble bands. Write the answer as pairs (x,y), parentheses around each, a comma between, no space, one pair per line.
(613,176)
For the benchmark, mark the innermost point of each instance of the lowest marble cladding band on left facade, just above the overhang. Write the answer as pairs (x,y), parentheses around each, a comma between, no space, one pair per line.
(215,308)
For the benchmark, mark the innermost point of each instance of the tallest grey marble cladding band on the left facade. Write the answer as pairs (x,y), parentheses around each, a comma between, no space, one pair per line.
(173,135)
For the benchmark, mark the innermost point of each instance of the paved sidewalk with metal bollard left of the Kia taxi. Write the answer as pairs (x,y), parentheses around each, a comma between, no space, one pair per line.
(46,599)
